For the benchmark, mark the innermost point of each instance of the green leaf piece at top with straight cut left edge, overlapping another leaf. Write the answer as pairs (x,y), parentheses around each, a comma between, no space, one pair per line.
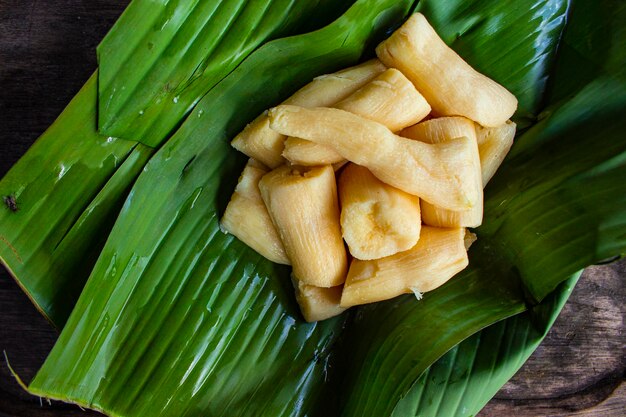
(162,56)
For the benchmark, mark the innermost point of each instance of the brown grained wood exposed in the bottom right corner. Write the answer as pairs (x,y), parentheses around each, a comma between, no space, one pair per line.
(580,367)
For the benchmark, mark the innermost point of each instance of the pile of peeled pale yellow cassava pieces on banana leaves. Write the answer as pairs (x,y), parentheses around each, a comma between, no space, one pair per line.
(407,189)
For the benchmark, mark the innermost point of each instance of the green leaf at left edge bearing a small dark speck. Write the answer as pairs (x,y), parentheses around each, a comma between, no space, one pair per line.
(69,188)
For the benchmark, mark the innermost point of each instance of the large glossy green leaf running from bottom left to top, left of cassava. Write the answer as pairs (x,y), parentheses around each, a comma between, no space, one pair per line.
(166,250)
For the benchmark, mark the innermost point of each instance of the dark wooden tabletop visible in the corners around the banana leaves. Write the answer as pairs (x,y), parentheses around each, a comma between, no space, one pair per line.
(47,51)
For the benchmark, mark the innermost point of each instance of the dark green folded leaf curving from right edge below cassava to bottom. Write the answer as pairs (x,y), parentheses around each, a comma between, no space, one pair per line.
(526,244)
